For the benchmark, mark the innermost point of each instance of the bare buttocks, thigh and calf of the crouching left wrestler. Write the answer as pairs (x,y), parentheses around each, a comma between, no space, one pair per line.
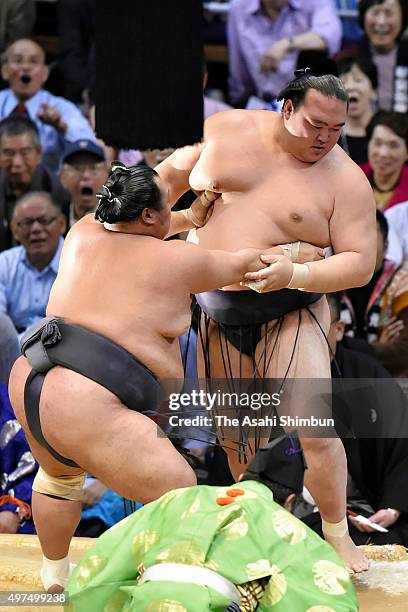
(118,446)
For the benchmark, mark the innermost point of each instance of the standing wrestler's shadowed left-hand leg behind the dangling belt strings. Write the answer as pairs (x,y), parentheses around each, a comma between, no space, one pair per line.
(226,361)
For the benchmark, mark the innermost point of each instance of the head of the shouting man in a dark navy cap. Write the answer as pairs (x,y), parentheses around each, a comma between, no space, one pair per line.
(84,170)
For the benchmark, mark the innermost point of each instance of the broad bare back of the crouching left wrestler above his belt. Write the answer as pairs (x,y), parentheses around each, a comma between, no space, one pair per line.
(121,286)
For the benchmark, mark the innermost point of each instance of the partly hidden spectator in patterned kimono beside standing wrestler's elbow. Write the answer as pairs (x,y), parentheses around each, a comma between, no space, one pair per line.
(378,312)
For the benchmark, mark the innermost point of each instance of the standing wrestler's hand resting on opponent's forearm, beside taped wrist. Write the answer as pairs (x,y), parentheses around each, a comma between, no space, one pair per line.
(275,276)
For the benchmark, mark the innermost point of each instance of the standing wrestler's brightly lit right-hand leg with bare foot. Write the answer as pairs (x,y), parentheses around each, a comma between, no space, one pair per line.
(326,476)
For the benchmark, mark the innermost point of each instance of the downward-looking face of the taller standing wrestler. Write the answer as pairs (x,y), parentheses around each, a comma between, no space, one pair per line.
(316,124)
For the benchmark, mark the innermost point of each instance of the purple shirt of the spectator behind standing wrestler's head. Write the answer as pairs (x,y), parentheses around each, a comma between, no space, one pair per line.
(251,34)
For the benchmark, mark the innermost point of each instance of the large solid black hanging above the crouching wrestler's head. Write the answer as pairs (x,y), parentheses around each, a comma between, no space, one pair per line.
(149,73)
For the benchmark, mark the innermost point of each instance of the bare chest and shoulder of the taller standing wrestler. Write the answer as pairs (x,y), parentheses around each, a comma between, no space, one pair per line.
(268,196)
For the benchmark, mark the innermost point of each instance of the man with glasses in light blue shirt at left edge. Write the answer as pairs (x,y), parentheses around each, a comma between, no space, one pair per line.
(28,271)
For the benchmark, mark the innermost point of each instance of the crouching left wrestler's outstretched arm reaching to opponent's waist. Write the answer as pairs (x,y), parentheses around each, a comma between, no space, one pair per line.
(201,270)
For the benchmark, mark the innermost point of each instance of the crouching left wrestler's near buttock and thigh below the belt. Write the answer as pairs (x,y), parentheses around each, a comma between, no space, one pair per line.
(86,423)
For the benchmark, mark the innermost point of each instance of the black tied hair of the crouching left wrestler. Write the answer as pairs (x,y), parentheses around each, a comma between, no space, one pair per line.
(127,191)
